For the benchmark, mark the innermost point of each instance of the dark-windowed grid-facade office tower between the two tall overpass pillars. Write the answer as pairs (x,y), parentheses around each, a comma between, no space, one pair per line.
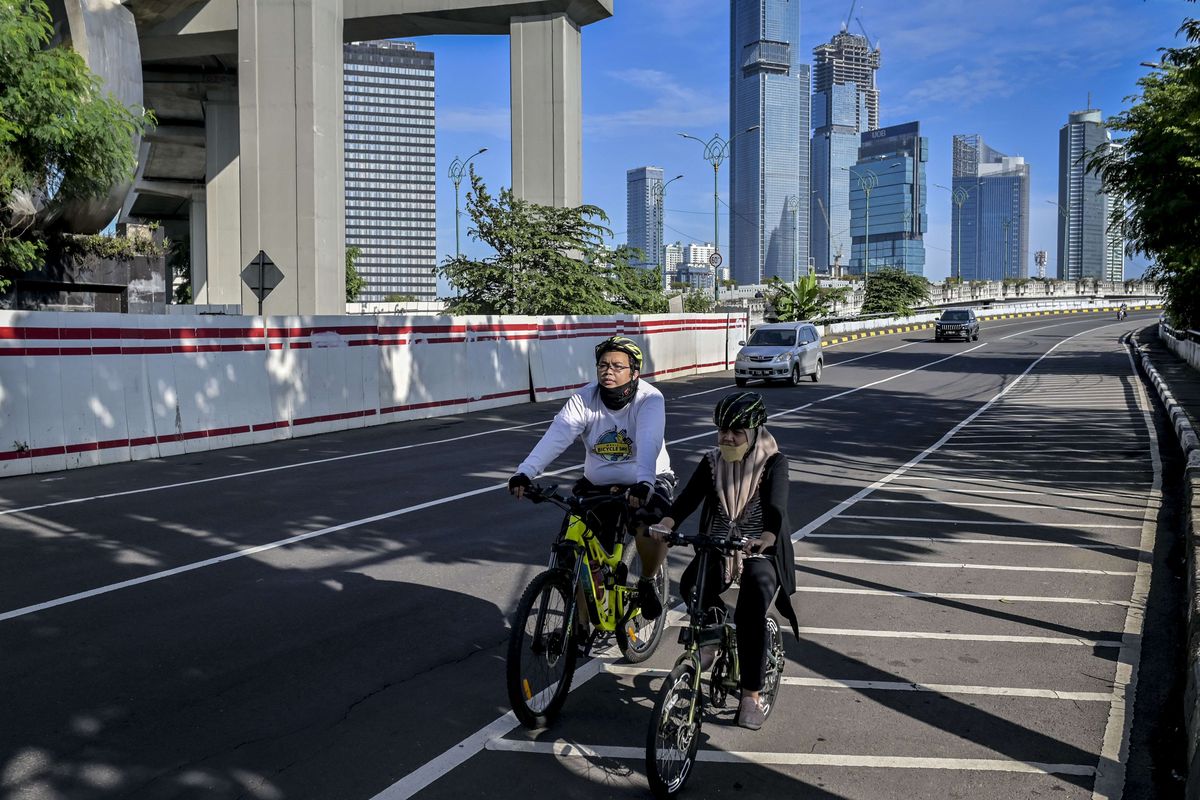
(391,208)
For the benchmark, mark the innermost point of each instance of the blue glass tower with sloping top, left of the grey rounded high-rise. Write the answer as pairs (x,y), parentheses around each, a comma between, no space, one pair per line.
(989,214)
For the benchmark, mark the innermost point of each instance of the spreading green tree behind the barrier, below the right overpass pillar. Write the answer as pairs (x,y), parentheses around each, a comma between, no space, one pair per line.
(547,261)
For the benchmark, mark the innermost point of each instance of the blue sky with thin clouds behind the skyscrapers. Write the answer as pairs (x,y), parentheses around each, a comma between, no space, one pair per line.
(1009,71)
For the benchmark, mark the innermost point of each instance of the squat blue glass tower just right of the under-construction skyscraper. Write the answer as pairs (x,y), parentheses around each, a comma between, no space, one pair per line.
(887,201)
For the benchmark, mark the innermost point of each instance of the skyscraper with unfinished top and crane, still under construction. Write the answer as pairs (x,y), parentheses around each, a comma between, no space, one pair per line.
(845,104)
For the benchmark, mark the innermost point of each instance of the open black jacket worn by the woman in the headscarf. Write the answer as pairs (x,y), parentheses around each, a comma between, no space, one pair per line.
(773,496)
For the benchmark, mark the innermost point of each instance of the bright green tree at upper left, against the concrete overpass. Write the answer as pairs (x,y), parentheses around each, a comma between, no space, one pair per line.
(62,137)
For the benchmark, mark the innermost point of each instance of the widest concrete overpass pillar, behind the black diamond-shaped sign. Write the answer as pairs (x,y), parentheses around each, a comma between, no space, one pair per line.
(290,98)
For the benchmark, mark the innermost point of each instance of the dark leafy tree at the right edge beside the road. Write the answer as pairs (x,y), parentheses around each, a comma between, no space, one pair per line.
(1155,176)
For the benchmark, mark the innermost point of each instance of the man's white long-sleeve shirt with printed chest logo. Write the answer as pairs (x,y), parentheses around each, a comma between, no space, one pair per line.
(623,447)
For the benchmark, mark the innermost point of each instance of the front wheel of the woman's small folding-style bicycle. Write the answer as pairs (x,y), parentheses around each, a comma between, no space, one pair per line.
(674,737)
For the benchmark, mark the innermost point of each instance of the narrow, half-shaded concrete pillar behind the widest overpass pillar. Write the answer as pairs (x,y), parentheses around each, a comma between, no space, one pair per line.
(217,280)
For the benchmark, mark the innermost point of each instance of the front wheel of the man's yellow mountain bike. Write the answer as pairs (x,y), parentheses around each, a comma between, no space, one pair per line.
(542,651)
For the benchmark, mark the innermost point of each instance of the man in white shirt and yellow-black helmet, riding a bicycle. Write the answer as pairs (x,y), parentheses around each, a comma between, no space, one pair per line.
(621,422)
